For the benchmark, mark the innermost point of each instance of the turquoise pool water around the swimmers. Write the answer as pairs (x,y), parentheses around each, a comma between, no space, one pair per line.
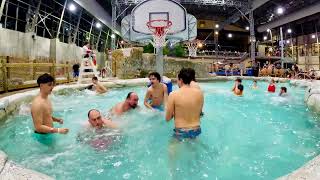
(257,136)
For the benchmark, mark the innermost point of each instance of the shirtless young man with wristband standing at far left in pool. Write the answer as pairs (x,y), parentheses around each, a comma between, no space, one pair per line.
(41,109)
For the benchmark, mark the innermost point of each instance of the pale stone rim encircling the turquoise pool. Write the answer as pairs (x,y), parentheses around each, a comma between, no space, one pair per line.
(10,104)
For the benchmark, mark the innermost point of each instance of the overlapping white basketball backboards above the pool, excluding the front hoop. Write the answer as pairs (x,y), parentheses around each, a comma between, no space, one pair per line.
(134,26)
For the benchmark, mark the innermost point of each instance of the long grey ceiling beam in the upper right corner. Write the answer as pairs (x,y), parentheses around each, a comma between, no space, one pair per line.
(307,11)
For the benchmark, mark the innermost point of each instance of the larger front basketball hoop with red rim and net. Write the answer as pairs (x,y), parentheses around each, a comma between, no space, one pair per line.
(159,29)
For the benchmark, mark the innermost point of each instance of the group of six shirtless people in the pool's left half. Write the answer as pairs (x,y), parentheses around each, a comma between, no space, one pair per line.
(185,111)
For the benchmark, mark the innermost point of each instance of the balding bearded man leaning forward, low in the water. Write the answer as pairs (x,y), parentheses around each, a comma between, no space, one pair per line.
(131,102)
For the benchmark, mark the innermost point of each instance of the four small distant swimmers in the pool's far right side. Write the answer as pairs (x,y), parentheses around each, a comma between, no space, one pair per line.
(238,88)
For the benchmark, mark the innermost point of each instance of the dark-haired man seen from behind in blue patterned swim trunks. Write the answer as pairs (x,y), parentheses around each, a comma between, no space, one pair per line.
(185,105)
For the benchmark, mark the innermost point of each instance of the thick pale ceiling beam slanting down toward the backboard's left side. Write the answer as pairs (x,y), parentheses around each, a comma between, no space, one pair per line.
(94,8)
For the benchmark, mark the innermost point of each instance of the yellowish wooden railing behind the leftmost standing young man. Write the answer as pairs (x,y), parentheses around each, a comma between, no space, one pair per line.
(15,76)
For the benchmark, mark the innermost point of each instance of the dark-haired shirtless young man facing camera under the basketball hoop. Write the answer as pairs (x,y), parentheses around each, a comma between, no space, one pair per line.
(157,94)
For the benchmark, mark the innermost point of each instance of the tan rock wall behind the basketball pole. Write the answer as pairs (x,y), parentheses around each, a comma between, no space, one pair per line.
(138,64)
